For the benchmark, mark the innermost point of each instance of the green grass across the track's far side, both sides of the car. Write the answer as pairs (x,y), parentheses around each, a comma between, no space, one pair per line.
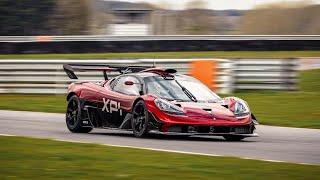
(293,109)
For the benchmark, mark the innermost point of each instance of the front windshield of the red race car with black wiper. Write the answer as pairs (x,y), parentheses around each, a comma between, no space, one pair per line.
(173,89)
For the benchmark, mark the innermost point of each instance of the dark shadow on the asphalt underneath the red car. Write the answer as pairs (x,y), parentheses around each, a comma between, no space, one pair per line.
(171,137)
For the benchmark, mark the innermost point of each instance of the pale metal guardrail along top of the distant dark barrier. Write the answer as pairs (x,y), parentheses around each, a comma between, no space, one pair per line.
(155,38)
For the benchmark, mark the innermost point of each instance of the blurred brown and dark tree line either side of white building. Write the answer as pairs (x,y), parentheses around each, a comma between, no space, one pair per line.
(78,17)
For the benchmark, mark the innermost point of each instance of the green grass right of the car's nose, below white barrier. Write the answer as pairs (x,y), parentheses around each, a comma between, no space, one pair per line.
(294,109)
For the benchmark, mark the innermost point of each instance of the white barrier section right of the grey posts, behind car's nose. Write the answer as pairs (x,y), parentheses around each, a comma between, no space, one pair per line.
(265,74)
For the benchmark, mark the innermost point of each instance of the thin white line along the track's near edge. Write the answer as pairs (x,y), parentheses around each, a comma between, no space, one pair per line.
(165,150)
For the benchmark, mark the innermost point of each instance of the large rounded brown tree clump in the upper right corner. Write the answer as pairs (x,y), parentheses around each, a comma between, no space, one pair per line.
(281,19)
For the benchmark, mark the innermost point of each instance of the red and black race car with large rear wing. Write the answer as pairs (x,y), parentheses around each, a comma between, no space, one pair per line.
(153,100)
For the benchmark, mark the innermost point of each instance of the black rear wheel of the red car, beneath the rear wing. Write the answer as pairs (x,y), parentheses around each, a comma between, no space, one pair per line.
(73,116)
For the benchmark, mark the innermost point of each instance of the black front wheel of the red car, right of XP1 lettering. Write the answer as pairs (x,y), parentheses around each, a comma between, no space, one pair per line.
(140,119)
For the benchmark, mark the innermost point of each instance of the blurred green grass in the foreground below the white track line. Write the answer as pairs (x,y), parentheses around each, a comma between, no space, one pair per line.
(27,158)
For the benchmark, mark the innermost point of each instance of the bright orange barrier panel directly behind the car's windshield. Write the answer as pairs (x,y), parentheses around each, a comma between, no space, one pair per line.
(205,71)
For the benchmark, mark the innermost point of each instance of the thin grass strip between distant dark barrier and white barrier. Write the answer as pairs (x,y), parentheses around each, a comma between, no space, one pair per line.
(196,54)
